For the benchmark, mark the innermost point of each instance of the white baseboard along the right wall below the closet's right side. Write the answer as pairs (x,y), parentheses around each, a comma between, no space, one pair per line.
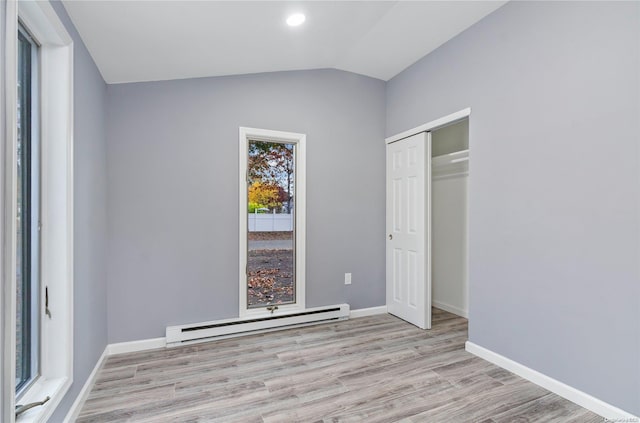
(583,399)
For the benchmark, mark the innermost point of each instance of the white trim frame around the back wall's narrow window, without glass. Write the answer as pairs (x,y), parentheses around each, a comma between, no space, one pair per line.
(299,140)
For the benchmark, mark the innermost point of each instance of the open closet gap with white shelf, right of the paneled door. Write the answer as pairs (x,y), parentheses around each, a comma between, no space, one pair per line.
(449,222)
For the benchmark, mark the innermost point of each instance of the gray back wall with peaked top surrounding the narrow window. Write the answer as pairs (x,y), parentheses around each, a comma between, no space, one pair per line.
(173,192)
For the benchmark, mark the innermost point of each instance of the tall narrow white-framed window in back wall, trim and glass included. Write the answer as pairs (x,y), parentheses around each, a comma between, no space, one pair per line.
(272,222)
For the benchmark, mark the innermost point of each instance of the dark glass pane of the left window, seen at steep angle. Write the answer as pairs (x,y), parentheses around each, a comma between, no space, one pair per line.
(27,219)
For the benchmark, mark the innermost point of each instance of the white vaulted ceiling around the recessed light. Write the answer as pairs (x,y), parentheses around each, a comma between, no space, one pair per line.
(152,40)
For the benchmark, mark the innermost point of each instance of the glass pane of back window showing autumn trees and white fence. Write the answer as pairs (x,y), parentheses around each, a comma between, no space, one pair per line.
(271,228)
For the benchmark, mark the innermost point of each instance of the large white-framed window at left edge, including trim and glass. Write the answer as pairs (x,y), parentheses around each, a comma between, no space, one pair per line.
(40,223)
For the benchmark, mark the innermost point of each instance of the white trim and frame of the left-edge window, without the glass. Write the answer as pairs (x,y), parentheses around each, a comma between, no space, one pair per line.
(56,123)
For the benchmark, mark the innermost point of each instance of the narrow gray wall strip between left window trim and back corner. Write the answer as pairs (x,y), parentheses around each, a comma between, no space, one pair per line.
(90,219)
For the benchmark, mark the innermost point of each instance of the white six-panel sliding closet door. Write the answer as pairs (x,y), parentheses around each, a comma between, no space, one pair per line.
(409,229)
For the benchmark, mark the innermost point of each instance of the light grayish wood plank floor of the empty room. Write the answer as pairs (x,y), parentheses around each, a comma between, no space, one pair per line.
(370,369)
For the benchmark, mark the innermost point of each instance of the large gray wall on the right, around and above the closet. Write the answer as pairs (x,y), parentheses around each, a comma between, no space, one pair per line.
(554,193)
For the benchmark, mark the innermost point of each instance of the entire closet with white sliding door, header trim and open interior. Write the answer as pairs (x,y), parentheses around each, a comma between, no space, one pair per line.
(426,221)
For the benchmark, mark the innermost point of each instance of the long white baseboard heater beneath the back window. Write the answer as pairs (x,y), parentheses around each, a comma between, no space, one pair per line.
(198,332)
